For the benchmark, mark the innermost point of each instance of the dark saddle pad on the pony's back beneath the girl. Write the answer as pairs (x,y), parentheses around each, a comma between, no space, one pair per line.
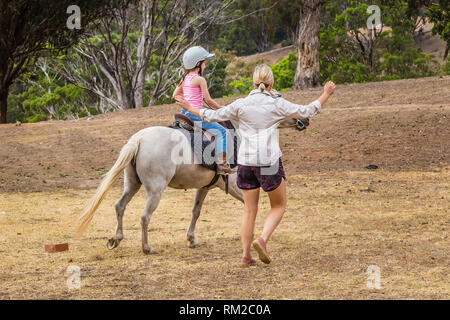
(198,152)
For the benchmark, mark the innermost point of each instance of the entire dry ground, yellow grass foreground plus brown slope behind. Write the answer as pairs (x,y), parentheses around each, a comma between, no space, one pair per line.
(341,218)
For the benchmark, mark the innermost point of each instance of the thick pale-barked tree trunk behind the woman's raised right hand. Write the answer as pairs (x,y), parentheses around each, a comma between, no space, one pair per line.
(307,74)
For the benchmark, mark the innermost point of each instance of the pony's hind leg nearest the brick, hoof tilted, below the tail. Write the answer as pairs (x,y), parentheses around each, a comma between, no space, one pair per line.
(131,186)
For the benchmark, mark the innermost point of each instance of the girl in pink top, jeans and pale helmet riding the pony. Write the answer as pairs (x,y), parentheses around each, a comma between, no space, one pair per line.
(194,89)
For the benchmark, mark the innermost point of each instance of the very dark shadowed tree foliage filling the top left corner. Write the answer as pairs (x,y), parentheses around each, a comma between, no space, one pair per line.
(40,26)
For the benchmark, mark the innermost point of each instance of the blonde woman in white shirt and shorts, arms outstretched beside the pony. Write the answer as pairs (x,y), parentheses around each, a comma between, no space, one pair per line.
(259,163)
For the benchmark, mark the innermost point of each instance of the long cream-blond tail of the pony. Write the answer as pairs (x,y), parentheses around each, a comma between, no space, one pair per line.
(127,154)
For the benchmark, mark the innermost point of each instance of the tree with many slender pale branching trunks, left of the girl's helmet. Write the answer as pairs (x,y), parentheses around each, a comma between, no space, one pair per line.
(132,56)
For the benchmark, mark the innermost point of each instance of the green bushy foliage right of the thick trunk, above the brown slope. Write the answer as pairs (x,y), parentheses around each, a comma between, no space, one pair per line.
(351,53)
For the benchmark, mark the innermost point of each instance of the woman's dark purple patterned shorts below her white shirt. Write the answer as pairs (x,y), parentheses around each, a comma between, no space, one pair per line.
(268,178)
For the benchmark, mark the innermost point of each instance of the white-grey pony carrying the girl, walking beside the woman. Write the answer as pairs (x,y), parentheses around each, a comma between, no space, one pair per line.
(157,157)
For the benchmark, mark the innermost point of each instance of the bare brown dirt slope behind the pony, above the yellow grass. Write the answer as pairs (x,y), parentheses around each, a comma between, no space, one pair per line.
(398,125)
